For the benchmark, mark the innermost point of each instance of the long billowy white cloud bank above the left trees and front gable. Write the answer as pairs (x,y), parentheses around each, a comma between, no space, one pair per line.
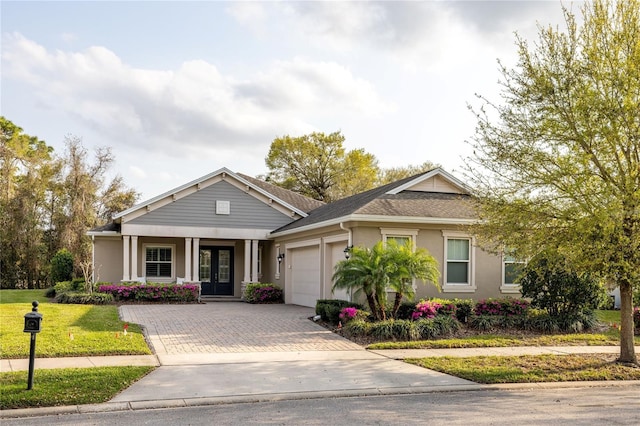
(194,103)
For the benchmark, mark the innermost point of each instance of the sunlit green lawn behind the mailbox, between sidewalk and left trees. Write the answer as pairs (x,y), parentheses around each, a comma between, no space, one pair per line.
(67,330)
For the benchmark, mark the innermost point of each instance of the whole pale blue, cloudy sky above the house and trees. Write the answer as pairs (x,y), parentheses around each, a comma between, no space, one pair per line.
(178,90)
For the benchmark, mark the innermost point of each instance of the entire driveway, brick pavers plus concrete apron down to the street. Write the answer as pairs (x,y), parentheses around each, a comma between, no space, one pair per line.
(222,351)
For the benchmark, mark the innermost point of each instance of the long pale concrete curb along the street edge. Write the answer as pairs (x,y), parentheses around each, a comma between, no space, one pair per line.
(347,393)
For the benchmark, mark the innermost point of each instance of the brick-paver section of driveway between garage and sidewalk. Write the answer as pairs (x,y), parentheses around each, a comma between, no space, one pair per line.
(232,327)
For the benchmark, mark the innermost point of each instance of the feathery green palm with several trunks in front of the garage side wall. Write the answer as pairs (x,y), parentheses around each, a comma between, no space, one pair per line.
(372,272)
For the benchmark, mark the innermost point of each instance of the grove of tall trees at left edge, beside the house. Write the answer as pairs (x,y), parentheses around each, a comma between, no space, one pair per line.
(49,202)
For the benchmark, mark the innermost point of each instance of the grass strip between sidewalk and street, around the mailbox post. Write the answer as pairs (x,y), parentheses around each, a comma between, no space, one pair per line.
(69,386)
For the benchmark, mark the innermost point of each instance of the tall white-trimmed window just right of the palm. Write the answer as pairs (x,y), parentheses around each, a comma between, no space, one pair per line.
(459,268)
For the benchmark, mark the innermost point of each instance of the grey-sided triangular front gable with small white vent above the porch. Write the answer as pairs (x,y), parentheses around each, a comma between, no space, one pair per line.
(198,209)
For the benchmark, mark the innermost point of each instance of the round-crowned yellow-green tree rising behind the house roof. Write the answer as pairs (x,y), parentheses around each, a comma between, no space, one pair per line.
(318,166)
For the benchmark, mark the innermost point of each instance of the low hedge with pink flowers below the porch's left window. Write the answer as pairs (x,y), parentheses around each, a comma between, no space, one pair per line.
(152,292)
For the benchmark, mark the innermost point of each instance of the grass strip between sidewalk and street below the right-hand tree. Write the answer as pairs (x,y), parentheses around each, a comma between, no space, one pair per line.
(531,369)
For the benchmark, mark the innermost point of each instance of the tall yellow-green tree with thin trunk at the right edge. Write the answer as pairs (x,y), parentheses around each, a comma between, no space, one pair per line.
(557,163)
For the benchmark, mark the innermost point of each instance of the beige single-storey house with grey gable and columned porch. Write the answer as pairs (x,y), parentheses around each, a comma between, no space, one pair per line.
(227,229)
